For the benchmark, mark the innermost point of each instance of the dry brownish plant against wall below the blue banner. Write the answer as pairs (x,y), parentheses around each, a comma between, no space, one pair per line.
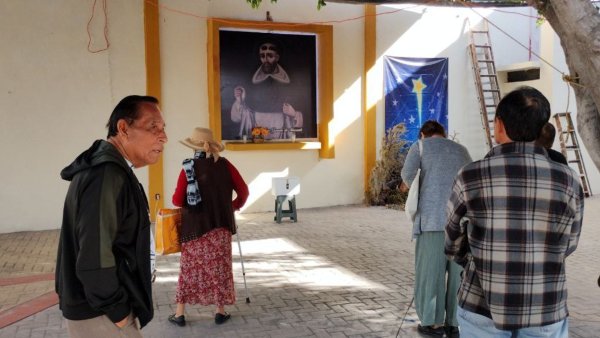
(385,176)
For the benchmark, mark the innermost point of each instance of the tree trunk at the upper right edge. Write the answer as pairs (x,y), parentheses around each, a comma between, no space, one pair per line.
(577,24)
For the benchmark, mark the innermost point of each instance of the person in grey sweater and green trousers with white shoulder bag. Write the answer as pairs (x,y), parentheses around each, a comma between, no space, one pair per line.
(435,295)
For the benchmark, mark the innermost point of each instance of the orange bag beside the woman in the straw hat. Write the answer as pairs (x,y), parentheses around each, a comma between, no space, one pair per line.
(168,223)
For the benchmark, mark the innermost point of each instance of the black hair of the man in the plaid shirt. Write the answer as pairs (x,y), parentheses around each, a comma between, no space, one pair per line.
(524,111)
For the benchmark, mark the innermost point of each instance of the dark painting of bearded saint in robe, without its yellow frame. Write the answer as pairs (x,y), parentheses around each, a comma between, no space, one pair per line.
(268,79)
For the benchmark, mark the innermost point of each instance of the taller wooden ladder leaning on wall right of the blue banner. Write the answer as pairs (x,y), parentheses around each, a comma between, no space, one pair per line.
(486,79)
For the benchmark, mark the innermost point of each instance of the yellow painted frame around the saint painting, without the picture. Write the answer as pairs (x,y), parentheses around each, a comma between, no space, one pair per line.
(324,35)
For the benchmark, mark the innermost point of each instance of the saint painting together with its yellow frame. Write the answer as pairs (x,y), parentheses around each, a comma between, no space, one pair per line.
(272,76)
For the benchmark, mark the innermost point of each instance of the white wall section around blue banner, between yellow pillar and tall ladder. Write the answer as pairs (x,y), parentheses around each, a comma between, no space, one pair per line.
(415,31)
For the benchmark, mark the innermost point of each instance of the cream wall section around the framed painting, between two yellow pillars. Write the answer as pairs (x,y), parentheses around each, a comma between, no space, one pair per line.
(324,182)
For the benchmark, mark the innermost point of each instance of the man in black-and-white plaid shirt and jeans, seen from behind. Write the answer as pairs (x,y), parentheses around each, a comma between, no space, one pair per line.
(513,218)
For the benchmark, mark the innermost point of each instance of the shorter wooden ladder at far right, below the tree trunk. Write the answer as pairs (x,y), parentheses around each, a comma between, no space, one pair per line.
(570,147)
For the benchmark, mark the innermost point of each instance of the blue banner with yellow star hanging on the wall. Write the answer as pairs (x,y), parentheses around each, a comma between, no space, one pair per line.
(416,90)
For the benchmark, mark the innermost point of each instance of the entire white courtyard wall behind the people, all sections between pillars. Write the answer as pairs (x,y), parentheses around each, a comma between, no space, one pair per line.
(55,96)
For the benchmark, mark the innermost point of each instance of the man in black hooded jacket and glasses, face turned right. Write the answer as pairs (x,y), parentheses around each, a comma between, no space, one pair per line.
(103,264)
